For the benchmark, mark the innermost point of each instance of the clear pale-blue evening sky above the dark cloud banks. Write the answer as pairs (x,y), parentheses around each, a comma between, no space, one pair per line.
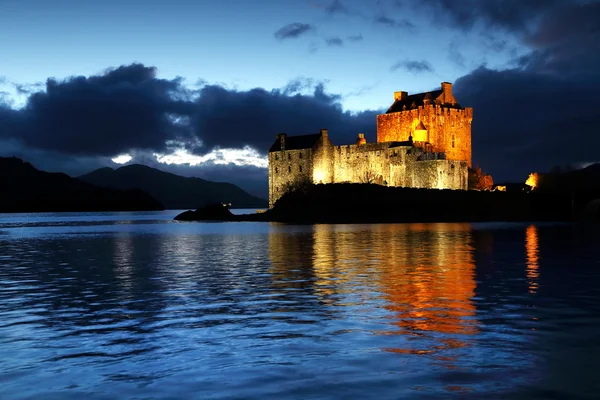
(232,42)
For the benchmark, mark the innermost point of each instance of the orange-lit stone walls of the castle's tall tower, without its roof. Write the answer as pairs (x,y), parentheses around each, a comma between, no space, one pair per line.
(448,128)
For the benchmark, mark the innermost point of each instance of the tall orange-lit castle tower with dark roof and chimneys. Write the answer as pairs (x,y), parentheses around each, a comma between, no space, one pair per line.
(434,118)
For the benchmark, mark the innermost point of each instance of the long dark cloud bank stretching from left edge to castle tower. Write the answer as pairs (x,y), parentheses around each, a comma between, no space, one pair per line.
(128,110)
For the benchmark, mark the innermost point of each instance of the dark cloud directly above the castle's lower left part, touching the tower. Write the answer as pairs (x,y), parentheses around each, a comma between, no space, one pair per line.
(232,119)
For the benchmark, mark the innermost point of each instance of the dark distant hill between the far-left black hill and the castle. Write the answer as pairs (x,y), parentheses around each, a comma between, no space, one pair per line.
(174,191)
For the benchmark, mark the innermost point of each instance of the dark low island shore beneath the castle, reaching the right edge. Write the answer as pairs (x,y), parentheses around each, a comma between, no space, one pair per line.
(372,203)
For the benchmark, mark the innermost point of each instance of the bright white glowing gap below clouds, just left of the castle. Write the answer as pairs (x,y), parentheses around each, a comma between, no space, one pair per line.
(240,157)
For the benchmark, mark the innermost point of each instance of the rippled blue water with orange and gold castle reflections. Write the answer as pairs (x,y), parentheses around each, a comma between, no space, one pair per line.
(134,305)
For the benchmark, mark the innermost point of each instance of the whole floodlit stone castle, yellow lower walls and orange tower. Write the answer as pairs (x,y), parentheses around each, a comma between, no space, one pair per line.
(423,141)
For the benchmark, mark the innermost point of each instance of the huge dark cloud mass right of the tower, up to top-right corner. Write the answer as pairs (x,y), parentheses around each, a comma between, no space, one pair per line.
(544,111)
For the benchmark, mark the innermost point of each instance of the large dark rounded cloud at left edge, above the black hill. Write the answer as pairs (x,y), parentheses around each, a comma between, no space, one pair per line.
(124,108)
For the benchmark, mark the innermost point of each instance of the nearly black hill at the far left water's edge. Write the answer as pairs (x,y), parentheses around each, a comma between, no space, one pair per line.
(23,188)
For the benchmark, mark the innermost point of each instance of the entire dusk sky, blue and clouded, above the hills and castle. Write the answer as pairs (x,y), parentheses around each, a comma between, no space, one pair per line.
(200,88)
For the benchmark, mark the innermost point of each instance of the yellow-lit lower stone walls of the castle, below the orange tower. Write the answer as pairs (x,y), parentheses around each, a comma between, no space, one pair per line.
(381,163)
